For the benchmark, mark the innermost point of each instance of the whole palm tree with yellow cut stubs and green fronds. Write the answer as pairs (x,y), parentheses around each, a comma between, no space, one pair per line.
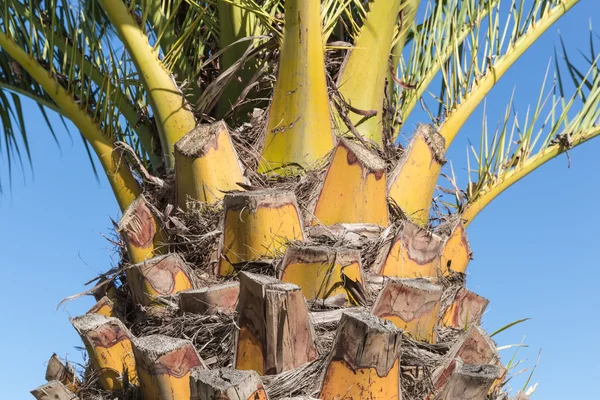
(275,240)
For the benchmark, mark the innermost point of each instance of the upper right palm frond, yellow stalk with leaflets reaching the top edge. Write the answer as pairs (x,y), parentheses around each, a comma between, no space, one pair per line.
(470,55)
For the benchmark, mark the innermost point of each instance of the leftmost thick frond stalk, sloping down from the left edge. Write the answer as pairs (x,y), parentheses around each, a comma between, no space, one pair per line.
(124,185)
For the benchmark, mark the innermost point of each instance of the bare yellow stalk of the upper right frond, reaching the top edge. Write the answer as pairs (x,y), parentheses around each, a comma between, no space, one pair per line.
(483,85)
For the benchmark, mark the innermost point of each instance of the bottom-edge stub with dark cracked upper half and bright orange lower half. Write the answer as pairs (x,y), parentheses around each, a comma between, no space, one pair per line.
(364,361)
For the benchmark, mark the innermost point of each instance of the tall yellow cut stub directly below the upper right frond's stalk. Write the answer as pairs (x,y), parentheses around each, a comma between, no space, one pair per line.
(412,182)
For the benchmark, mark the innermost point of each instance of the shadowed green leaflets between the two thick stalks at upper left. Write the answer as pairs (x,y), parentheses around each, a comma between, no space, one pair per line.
(77,52)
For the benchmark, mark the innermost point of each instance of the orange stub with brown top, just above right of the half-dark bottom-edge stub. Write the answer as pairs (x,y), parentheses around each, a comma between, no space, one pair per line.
(412,305)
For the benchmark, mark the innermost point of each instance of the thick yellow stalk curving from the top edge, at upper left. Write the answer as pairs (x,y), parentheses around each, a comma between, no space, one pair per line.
(171,111)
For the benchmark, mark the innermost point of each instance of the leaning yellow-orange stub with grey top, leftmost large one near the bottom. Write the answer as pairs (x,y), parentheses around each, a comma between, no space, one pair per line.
(108,343)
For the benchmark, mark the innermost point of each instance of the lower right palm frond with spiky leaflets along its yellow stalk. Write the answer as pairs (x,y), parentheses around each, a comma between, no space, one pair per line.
(521,144)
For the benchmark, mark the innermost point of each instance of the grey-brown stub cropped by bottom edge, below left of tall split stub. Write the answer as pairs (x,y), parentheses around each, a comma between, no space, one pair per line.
(226,384)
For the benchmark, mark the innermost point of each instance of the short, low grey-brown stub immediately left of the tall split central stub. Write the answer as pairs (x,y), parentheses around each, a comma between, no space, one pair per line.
(221,298)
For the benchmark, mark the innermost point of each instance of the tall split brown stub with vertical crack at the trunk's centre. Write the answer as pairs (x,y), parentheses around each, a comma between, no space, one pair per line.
(275,333)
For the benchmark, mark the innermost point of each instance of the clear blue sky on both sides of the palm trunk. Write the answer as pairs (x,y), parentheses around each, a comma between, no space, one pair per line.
(534,246)
